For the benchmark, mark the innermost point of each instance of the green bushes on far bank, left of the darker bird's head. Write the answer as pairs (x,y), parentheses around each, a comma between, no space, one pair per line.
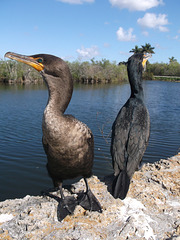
(83,72)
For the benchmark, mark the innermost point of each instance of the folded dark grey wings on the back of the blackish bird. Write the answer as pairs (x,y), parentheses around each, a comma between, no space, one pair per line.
(130,134)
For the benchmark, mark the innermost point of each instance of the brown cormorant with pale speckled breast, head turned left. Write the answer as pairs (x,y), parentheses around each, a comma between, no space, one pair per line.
(68,143)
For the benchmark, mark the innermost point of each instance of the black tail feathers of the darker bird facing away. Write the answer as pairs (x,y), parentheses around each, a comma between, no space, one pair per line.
(121,185)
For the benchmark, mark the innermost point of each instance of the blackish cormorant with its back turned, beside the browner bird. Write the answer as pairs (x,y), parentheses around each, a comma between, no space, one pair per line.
(130,130)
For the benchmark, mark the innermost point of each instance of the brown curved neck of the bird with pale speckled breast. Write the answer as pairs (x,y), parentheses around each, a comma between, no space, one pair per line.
(59,94)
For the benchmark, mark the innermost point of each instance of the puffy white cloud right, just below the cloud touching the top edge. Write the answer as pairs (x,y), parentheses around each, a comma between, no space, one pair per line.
(151,20)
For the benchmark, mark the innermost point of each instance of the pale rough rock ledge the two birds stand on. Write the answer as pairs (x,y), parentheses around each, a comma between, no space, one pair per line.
(150,211)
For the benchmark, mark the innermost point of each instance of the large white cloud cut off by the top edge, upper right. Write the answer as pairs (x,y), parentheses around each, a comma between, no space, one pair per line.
(136,5)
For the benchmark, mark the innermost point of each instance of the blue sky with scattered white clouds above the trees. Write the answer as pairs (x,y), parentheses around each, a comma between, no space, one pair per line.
(85,29)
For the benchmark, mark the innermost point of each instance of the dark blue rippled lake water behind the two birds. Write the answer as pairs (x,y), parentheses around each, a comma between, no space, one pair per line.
(22,158)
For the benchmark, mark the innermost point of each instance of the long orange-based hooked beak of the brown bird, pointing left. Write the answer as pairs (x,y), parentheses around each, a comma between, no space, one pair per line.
(33,62)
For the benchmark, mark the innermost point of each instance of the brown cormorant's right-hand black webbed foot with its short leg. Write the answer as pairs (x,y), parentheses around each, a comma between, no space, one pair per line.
(88,201)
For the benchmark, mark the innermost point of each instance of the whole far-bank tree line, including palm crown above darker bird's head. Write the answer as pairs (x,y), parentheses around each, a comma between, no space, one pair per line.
(102,71)
